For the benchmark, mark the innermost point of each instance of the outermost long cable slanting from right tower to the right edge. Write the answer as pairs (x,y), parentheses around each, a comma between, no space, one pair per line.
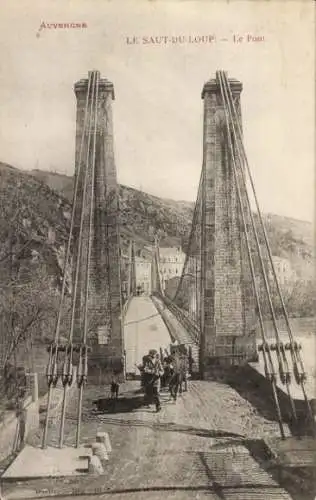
(295,353)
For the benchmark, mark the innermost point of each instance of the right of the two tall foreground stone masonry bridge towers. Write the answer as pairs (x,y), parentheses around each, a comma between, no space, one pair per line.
(228,313)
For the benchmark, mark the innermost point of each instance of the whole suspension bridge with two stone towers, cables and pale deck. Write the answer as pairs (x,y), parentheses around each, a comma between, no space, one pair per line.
(219,303)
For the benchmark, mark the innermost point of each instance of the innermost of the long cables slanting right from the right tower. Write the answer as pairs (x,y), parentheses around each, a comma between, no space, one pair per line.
(266,349)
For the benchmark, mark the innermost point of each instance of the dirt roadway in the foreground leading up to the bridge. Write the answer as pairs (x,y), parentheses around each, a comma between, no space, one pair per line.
(207,445)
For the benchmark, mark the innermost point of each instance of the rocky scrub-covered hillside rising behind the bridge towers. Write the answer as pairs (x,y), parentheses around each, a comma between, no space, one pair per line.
(34,226)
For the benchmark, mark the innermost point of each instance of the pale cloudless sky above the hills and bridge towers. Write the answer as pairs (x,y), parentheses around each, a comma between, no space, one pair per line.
(158,110)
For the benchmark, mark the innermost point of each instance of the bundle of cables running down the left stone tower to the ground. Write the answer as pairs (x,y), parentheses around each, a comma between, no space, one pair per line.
(67,371)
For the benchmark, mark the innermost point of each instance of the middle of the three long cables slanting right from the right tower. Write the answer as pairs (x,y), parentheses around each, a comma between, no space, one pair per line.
(284,375)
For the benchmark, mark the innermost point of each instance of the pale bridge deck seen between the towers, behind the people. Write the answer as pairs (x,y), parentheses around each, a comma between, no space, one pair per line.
(144,329)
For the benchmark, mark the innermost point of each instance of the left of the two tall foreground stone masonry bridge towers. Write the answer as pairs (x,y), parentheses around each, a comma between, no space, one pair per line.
(95,156)
